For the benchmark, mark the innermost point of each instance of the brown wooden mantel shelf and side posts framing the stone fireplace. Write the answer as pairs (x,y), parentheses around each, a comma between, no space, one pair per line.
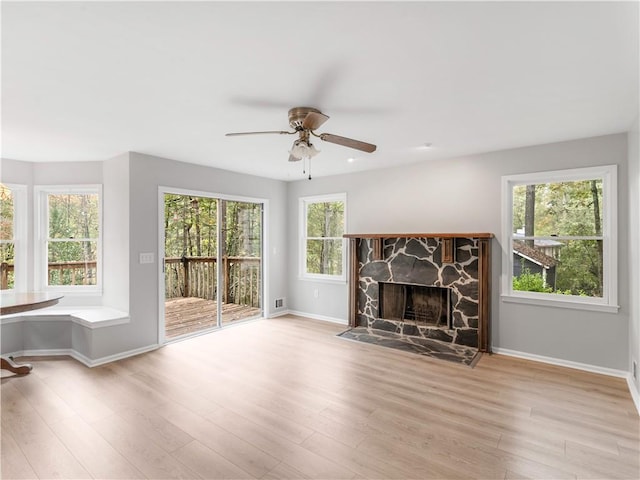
(448,256)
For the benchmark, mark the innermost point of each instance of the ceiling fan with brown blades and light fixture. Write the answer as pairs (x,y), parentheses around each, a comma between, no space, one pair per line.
(304,121)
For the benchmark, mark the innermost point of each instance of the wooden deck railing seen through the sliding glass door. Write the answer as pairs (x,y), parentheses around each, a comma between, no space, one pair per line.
(197,277)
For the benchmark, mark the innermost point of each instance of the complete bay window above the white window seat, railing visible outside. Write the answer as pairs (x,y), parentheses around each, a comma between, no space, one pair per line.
(70,237)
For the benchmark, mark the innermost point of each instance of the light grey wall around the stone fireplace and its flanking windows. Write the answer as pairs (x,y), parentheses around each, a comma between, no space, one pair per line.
(463,195)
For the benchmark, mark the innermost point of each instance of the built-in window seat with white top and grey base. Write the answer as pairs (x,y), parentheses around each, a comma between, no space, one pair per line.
(58,330)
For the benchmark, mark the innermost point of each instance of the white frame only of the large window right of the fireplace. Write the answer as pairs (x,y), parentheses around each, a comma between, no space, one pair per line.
(609,300)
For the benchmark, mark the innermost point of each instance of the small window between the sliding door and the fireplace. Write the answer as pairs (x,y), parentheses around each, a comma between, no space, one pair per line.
(322,224)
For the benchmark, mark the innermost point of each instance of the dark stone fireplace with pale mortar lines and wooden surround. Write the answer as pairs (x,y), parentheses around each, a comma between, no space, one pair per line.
(434,286)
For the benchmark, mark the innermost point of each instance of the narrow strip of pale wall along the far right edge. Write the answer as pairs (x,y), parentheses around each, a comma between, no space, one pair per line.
(634,254)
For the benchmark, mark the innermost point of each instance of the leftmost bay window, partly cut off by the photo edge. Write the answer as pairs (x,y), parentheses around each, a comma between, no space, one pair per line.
(12,235)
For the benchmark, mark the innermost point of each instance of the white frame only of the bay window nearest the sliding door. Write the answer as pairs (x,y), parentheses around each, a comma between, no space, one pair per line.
(41,193)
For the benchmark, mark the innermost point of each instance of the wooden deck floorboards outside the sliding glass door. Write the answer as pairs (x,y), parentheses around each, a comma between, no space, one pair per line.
(187,315)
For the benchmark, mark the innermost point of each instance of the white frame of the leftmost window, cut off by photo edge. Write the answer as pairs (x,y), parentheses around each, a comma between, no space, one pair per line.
(20,220)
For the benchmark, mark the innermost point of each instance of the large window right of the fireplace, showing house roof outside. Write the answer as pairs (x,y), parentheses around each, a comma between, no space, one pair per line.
(559,238)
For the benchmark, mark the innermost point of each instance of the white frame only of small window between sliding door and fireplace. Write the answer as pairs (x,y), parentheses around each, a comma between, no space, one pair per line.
(304,202)
